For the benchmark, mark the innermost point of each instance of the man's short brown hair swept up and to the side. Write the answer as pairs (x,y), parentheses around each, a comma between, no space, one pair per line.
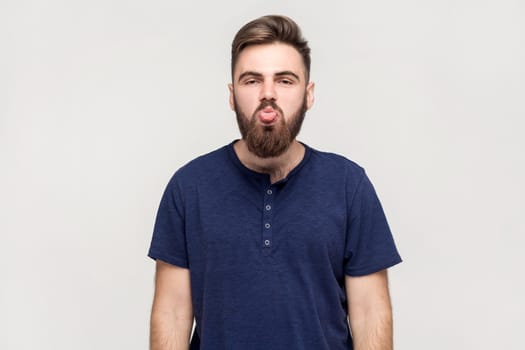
(267,30)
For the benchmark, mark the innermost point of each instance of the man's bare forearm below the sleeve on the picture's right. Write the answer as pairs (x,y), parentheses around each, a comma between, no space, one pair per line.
(370,311)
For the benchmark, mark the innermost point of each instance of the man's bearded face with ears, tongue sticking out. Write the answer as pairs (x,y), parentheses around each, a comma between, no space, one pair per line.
(270,96)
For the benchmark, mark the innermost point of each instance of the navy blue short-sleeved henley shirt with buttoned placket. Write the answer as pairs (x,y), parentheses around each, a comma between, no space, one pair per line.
(268,261)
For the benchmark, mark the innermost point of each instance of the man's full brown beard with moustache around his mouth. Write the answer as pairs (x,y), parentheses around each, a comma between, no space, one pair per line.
(267,141)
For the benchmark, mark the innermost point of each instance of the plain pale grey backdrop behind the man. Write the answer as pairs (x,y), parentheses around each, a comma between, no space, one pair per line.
(102,100)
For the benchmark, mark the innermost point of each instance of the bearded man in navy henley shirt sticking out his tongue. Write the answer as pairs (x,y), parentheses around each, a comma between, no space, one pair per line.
(266,242)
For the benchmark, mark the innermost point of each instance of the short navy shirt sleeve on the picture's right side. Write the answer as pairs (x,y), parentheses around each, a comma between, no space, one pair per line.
(370,246)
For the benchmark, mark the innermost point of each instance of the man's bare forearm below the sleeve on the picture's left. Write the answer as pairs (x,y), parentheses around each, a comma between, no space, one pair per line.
(172,311)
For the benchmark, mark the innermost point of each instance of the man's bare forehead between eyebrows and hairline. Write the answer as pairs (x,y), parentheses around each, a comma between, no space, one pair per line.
(268,59)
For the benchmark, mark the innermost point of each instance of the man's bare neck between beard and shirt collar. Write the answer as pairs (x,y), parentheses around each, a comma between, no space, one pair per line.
(277,167)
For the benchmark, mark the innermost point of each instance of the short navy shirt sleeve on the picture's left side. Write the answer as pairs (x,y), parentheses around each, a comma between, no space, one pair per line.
(169,237)
